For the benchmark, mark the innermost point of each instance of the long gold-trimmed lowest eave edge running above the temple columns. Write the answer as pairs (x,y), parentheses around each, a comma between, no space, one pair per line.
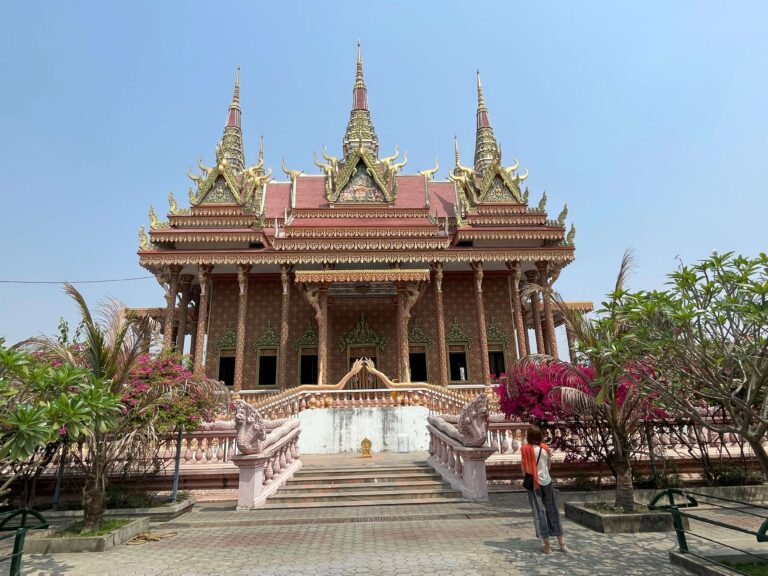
(560,254)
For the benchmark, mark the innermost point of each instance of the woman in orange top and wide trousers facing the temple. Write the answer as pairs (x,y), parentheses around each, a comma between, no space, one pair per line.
(536,462)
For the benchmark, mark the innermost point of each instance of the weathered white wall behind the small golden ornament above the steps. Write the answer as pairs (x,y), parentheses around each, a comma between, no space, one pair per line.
(334,430)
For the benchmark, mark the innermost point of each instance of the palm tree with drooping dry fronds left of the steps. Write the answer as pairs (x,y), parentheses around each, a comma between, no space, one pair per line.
(129,437)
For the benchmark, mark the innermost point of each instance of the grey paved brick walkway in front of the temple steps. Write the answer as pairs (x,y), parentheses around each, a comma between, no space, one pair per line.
(462,539)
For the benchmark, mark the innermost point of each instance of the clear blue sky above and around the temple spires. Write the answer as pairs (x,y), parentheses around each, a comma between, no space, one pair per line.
(649,119)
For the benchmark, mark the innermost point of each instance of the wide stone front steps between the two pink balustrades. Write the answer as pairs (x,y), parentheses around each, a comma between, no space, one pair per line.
(332,486)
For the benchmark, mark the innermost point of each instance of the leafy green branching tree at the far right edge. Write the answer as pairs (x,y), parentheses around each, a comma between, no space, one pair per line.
(705,343)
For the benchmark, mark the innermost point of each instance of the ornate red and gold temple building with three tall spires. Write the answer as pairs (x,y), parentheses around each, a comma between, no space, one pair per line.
(273,283)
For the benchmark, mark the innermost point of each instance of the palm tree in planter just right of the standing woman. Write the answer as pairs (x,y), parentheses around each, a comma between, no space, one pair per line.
(608,404)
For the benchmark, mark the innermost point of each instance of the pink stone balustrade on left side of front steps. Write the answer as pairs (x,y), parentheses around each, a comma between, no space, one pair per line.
(263,473)
